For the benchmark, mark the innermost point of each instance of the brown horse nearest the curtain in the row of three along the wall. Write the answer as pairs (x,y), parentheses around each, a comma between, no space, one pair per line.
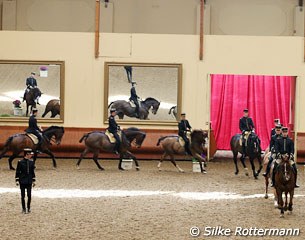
(171,146)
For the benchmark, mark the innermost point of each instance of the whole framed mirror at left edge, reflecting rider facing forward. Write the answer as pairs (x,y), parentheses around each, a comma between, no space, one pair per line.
(31,84)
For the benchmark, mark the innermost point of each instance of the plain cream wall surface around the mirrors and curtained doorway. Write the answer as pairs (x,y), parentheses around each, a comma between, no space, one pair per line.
(84,99)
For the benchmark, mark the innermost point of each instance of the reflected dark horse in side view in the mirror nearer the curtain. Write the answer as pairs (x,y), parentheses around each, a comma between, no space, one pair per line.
(124,108)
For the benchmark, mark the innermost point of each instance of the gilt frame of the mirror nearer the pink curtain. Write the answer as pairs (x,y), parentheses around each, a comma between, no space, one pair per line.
(137,64)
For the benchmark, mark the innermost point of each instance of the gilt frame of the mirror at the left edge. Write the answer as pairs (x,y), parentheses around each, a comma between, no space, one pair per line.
(62,91)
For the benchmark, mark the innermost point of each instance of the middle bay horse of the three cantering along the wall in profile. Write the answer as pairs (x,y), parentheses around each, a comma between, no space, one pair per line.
(98,141)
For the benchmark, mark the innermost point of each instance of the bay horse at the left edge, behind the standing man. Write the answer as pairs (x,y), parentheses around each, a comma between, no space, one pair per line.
(16,143)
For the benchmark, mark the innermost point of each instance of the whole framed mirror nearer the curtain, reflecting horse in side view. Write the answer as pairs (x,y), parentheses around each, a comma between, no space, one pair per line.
(143,93)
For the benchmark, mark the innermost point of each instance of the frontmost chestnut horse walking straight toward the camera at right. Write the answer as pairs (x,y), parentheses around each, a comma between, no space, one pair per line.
(285,183)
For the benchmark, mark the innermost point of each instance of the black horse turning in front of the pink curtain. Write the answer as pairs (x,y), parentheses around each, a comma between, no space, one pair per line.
(253,151)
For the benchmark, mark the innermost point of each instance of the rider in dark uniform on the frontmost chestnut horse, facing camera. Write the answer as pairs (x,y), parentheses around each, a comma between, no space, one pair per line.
(285,145)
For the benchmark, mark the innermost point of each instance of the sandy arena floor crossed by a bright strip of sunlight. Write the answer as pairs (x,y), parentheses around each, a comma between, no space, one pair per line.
(142,205)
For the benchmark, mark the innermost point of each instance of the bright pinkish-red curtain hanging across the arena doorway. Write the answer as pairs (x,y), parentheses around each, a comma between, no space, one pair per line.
(266,97)
